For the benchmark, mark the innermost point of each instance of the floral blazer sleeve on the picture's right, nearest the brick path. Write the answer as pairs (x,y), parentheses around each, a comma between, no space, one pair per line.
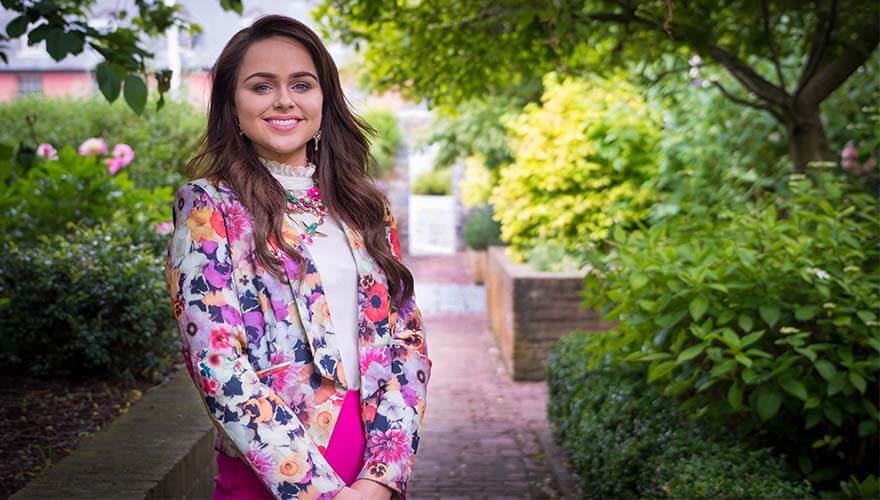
(393,433)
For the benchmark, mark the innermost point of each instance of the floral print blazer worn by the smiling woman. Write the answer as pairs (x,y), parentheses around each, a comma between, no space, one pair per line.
(263,352)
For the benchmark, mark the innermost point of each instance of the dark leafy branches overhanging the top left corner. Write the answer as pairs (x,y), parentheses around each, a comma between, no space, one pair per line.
(64,26)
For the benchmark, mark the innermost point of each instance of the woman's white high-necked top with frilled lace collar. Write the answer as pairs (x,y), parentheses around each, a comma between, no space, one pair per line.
(335,264)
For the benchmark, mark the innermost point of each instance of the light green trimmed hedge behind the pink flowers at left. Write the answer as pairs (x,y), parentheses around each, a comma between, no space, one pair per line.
(163,141)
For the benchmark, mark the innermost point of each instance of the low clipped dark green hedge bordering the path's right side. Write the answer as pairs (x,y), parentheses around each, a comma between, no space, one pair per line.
(625,440)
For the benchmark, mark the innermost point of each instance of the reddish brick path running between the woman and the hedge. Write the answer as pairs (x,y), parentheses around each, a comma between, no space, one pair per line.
(484,435)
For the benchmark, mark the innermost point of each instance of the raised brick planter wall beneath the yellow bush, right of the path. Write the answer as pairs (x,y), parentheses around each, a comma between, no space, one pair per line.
(530,310)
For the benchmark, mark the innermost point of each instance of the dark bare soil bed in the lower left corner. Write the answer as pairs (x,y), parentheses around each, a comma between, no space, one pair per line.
(42,421)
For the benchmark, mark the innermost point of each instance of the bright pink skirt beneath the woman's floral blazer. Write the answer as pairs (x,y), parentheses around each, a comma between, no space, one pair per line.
(345,453)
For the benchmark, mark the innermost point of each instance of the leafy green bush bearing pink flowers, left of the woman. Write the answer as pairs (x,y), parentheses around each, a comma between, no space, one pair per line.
(75,189)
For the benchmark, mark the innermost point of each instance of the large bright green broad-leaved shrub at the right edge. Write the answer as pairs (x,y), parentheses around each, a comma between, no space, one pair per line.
(765,315)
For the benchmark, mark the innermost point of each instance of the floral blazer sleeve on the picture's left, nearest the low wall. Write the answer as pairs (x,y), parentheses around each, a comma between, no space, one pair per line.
(266,433)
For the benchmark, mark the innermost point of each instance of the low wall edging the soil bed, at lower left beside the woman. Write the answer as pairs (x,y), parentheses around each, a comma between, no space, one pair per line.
(162,448)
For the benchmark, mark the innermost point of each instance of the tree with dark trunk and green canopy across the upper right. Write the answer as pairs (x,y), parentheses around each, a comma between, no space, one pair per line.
(787,56)
